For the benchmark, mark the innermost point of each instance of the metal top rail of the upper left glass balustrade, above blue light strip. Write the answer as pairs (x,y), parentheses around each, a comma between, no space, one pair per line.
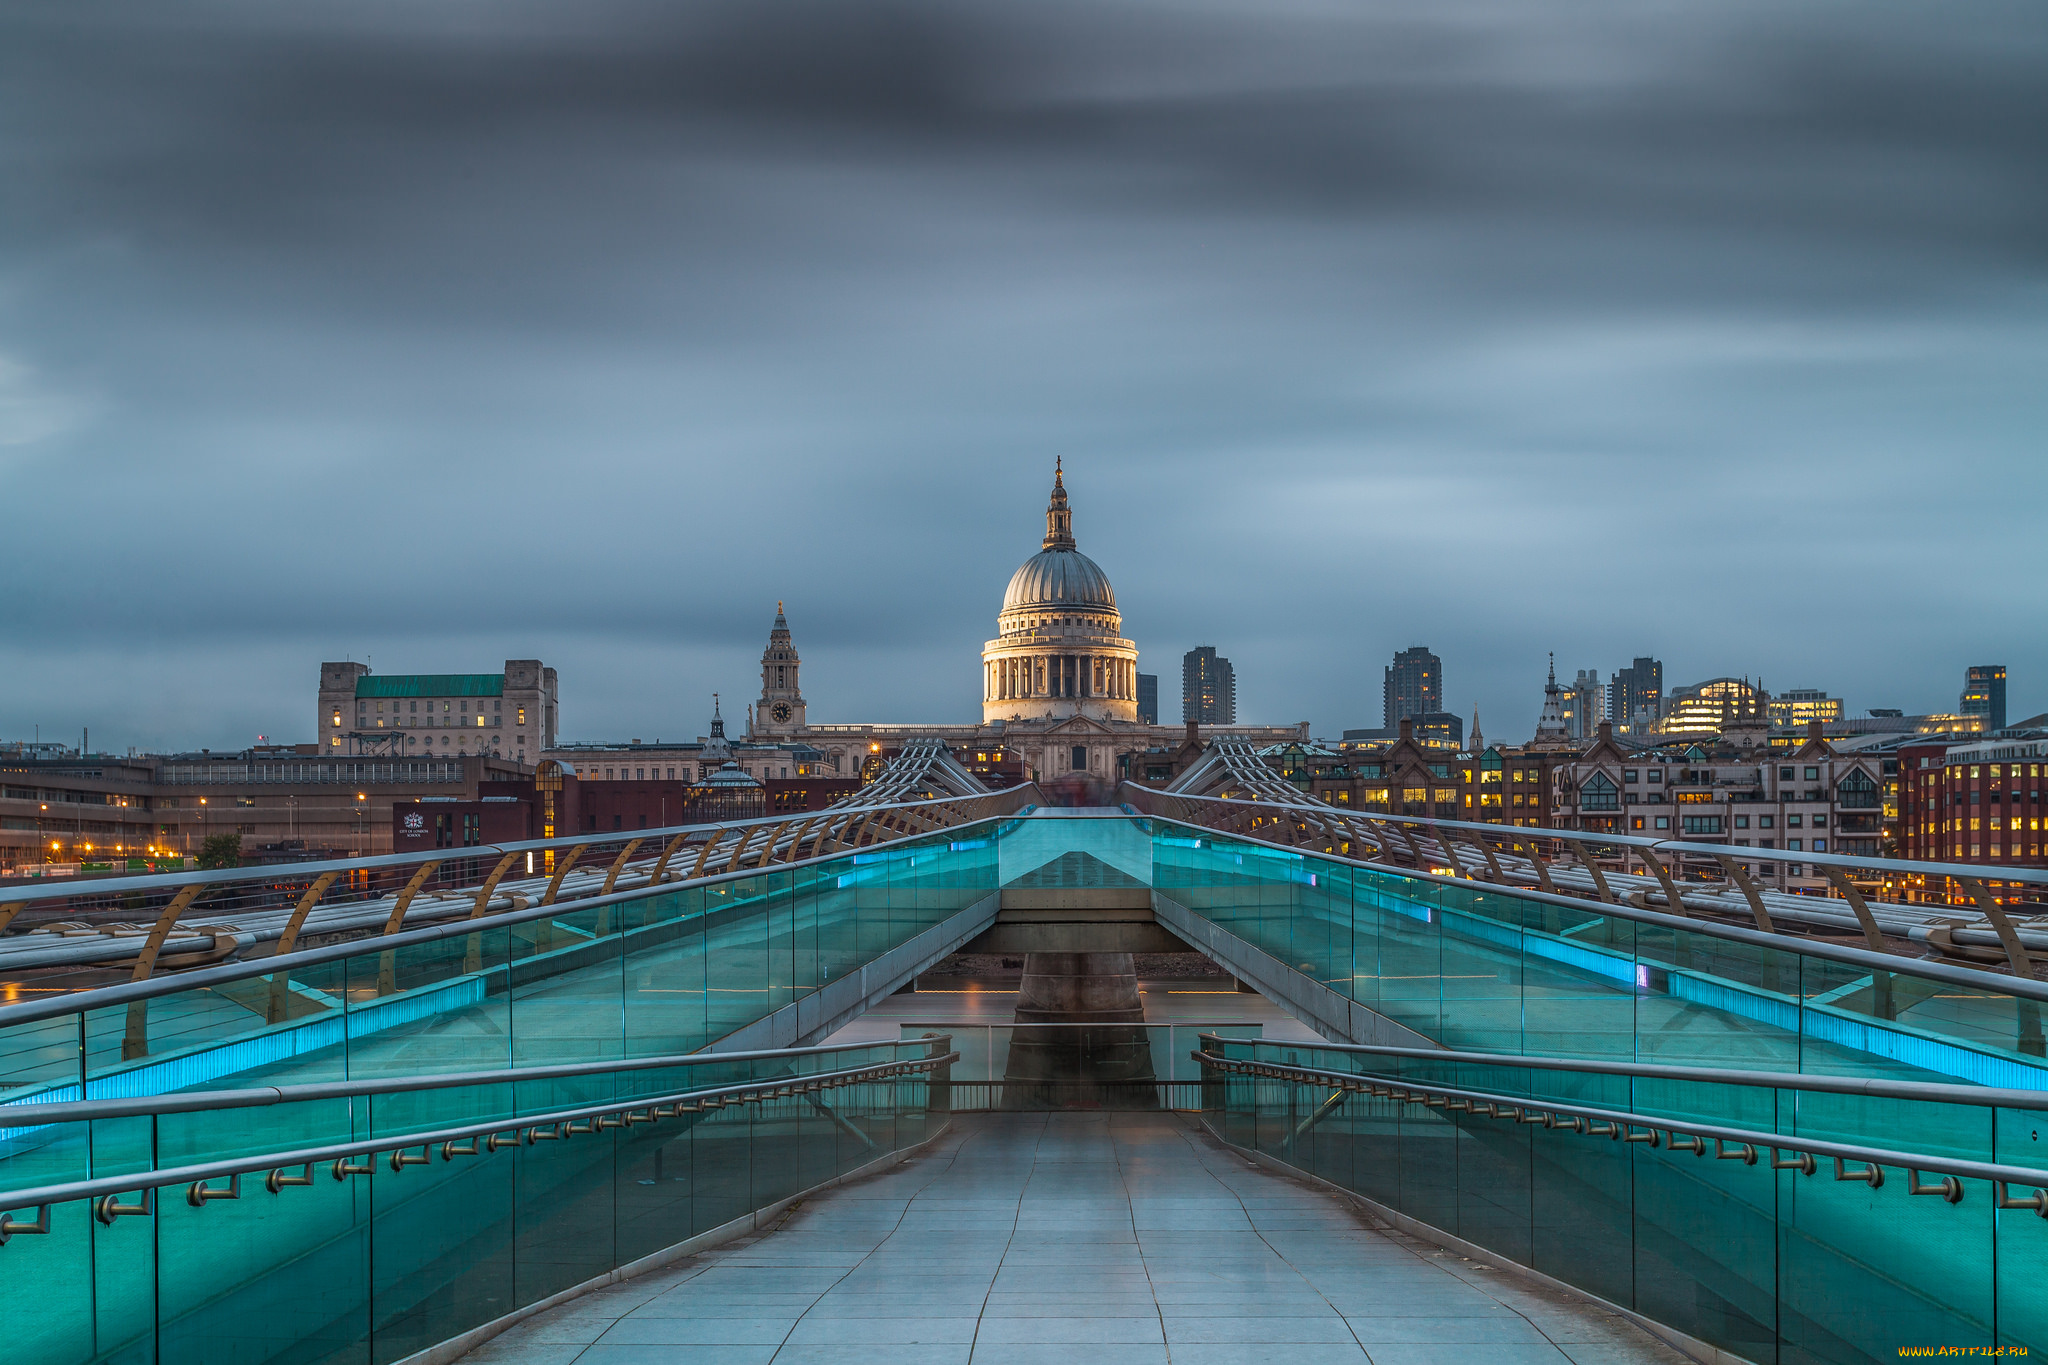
(101,998)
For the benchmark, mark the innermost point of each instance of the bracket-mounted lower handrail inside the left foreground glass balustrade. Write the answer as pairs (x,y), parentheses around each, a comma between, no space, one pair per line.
(642,1110)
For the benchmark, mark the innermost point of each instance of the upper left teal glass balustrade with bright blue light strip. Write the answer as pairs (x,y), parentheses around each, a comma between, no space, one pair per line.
(642,975)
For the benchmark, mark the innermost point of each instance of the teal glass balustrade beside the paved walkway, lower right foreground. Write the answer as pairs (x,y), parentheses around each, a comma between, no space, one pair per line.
(1768,1264)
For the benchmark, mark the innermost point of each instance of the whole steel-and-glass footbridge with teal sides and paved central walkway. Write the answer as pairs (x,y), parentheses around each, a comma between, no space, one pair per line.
(1545,1096)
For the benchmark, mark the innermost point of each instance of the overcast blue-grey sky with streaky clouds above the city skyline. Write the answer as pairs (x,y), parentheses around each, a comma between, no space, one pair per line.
(452,333)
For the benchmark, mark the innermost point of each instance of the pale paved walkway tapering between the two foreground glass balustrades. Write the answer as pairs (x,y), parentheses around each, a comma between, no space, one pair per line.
(1048,1239)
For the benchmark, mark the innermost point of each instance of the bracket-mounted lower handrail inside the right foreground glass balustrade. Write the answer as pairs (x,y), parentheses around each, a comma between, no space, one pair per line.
(1662,1131)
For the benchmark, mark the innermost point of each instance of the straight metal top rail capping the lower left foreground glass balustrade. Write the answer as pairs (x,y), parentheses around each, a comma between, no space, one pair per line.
(263,1096)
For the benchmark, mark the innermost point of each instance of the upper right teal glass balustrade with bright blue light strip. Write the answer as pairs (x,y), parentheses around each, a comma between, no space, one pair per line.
(1488,971)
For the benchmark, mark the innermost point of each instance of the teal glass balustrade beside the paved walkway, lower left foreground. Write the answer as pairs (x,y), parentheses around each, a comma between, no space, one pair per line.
(392,1260)
